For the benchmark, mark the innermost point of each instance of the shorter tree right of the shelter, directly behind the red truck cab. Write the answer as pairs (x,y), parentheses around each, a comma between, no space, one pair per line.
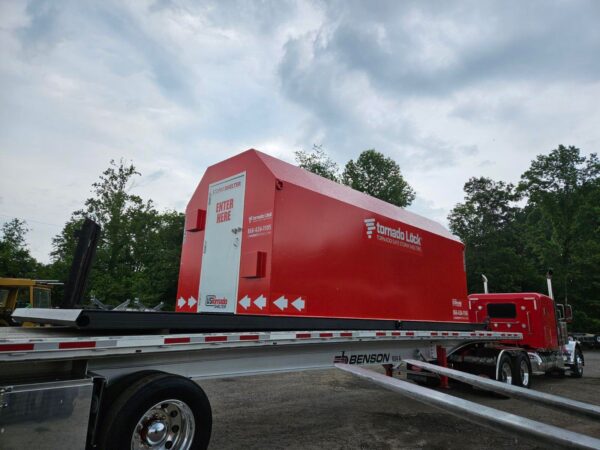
(489,224)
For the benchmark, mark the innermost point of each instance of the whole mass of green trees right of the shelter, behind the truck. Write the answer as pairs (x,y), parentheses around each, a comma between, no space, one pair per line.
(555,225)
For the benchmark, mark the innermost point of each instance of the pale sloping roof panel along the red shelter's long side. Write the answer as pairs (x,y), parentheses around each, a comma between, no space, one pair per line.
(301,177)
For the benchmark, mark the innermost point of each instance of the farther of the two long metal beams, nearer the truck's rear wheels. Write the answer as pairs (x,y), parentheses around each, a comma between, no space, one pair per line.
(554,401)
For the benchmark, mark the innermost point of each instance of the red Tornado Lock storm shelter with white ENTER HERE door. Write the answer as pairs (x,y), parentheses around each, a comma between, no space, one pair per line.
(265,237)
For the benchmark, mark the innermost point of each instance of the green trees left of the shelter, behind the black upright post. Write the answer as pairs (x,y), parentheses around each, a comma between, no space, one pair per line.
(139,248)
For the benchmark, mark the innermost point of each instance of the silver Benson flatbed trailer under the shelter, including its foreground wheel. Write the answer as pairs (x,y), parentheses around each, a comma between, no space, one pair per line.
(64,387)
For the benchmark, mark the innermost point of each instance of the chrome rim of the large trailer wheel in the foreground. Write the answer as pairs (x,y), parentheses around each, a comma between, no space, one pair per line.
(168,425)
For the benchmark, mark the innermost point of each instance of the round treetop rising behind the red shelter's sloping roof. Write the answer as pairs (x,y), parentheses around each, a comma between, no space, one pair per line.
(378,176)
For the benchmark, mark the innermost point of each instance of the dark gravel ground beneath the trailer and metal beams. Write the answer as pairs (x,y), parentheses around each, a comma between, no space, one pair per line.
(334,410)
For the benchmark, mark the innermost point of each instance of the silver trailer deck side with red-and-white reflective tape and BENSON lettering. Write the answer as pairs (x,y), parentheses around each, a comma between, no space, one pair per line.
(202,355)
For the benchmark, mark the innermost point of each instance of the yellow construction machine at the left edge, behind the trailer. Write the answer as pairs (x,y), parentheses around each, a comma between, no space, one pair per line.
(23,293)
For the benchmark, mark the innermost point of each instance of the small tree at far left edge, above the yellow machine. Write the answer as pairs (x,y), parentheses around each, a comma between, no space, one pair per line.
(15,259)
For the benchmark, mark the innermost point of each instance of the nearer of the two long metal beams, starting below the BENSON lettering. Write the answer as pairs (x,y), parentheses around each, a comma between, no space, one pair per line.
(480,414)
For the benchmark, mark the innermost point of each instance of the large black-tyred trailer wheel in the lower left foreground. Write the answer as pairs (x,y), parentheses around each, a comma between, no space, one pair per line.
(158,411)
